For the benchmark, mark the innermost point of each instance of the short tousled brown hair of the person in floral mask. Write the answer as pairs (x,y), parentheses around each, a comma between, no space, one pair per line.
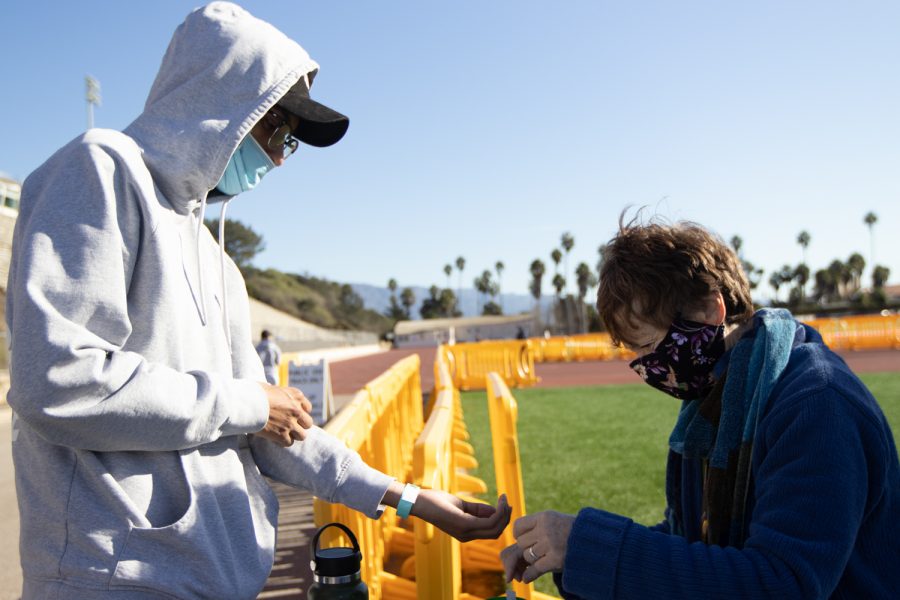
(652,272)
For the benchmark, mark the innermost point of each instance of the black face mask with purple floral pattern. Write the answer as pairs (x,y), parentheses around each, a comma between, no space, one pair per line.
(682,364)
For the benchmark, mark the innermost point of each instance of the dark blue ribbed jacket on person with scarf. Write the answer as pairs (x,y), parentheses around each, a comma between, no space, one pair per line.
(825,511)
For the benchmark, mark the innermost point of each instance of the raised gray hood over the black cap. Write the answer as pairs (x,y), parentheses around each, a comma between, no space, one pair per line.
(223,70)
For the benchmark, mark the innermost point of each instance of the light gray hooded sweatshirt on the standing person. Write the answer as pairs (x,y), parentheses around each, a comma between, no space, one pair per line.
(135,473)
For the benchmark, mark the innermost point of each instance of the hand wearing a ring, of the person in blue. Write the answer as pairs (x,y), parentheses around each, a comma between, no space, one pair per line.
(541,541)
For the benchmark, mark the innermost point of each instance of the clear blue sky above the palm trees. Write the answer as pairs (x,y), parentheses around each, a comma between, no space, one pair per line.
(487,129)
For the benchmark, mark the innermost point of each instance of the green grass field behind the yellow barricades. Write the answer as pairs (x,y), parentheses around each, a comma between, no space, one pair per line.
(602,446)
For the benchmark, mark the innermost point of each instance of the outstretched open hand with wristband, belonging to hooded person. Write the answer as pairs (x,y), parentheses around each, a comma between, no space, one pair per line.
(463,520)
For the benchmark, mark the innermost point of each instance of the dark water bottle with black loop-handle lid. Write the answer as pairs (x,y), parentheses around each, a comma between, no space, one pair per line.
(336,571)
